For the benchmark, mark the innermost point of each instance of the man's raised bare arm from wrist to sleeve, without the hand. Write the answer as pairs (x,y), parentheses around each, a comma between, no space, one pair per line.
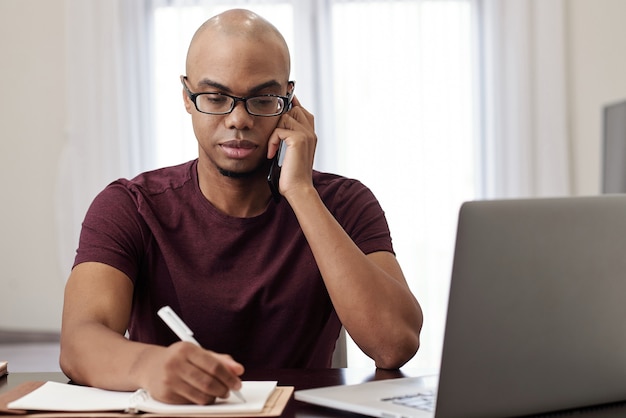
(369,293)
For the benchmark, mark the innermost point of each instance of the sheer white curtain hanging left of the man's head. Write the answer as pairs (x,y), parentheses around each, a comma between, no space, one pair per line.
(108,100)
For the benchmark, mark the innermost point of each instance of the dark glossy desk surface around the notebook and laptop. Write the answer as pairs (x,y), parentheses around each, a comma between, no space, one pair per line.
(299,378)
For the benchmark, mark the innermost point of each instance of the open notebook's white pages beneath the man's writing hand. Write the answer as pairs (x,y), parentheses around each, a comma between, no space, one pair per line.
(54,396)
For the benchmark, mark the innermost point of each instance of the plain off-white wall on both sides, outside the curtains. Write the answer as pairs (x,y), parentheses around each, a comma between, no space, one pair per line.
(32,118)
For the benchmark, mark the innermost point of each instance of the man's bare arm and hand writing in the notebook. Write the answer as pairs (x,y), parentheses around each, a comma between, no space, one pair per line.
(95,352)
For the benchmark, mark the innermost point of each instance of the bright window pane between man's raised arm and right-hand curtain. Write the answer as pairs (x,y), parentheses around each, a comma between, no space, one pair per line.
(404,115)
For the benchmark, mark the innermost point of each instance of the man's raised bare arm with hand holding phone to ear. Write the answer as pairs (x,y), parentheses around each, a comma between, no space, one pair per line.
(369,292)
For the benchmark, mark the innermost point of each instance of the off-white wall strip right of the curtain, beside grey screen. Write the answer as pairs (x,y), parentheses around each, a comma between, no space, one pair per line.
(597,76)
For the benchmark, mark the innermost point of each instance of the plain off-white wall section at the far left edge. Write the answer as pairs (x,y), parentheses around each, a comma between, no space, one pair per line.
(32,117)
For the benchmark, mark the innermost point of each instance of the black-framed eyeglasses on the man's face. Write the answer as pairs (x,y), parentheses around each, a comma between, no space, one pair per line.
(223,104)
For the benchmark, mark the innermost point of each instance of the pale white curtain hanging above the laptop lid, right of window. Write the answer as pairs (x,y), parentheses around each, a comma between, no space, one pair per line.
(526,146)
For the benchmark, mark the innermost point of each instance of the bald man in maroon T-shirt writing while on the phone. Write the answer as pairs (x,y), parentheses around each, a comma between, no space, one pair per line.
(266,283)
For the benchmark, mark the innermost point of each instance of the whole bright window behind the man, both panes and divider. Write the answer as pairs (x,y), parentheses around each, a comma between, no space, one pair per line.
(398,79)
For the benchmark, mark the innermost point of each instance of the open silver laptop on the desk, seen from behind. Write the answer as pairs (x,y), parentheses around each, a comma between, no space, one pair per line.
(536,317)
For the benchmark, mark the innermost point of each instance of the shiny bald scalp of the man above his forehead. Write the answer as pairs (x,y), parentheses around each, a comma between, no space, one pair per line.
(238,24)
